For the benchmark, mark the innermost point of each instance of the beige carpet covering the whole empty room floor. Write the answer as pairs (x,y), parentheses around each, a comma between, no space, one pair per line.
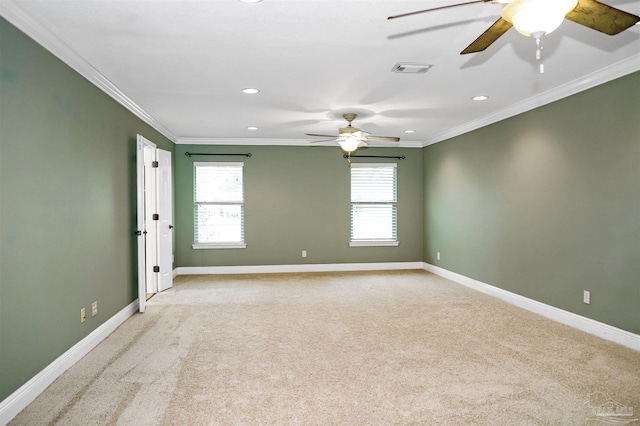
(402,347)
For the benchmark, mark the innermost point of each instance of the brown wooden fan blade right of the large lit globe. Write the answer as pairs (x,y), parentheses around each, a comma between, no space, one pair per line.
(601,17)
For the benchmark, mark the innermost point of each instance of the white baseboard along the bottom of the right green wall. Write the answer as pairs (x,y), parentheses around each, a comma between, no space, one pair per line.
(588,325)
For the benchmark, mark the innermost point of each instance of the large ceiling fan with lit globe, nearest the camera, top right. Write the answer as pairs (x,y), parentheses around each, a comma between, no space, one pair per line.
(536,18)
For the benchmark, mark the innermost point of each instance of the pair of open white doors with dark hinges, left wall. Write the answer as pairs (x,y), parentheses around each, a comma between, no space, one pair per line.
(154,216)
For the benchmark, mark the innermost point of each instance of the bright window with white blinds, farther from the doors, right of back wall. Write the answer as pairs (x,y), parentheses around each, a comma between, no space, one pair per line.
(373,204)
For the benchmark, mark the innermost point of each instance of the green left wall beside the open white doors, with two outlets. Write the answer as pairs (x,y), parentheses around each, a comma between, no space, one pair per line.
(67,206)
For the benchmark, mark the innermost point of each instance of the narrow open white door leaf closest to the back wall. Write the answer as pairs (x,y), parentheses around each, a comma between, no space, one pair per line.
(165,221)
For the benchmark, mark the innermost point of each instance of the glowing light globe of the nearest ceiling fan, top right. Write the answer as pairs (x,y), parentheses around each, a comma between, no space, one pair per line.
(537,16)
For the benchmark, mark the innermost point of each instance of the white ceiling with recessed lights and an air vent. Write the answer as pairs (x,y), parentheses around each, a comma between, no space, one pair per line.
(181,64)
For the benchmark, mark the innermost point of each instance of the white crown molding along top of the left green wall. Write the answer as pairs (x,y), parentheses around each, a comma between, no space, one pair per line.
(12,12)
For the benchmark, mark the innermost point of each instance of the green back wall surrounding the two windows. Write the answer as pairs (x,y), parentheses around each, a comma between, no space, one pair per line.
(297,198)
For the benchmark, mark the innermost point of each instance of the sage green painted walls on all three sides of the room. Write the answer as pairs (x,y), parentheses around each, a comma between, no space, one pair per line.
(545,204)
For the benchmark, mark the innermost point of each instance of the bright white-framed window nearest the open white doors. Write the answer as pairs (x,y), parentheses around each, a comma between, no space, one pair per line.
(218,211)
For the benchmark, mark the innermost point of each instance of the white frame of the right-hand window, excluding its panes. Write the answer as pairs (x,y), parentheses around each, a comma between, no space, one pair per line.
(375,242)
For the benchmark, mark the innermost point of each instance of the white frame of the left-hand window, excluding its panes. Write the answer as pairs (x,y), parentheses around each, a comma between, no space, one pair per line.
(222,244)
